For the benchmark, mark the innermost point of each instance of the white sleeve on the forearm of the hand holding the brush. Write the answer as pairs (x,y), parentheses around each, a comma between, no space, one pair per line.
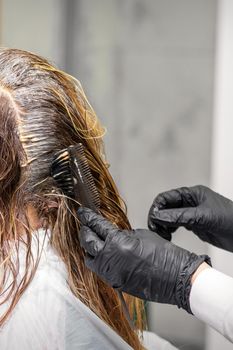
(211,300)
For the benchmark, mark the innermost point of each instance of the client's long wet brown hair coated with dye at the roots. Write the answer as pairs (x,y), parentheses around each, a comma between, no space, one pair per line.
(43,110)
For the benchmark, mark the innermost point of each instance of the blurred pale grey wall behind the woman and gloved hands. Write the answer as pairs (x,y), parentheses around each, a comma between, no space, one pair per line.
(159,75)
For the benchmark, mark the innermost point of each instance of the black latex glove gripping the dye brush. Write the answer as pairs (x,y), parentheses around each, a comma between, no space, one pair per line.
(138,262)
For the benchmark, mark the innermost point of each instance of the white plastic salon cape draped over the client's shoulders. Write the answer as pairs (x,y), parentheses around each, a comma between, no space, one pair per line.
(49,317)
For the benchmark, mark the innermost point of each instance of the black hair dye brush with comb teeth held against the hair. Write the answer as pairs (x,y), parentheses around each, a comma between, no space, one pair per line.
(73,176)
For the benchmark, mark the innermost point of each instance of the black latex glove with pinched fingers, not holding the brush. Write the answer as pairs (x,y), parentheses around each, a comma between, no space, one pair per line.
(208,214)
